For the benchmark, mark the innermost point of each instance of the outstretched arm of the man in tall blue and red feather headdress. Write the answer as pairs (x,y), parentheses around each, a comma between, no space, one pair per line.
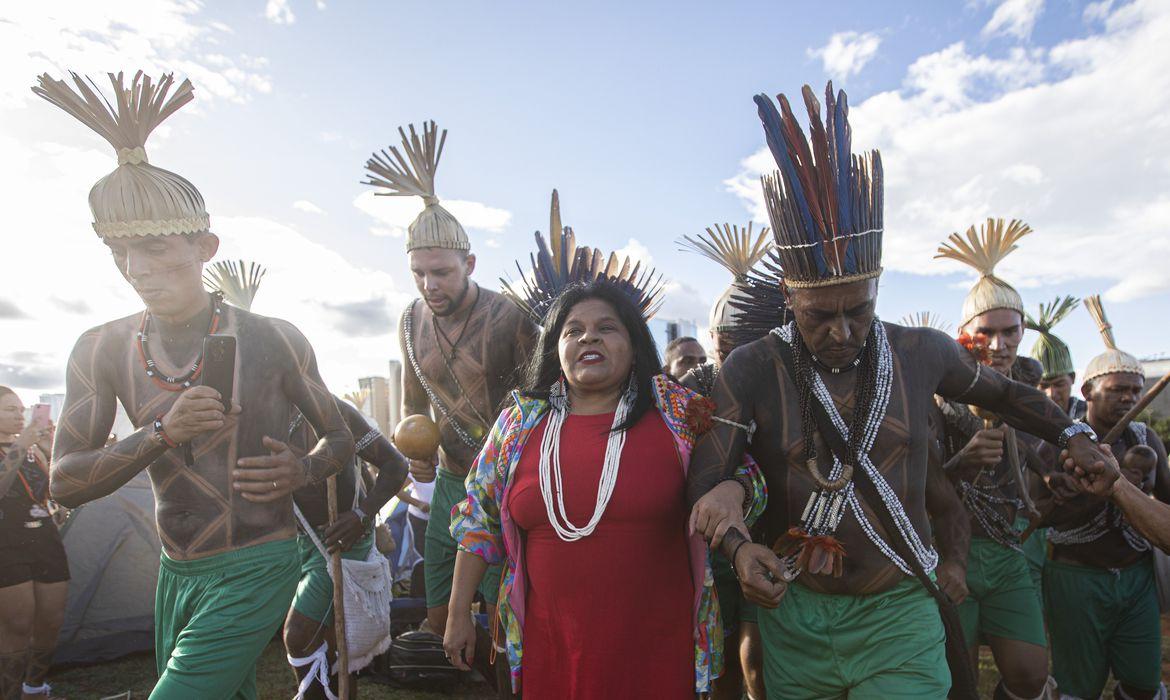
(1022,407)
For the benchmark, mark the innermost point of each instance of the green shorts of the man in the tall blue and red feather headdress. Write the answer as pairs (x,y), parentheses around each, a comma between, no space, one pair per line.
(885,646)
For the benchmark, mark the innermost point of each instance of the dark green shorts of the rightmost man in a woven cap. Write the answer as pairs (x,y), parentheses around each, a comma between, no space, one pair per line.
(1103,621)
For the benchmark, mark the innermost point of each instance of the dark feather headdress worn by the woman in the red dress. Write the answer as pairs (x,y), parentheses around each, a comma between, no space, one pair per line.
(561,264)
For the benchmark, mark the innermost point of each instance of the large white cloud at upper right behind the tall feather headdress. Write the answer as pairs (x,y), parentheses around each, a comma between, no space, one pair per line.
(1075,140)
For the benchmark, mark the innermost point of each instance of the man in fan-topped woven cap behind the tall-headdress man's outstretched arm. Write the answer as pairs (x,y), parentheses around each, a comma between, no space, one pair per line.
(986,461)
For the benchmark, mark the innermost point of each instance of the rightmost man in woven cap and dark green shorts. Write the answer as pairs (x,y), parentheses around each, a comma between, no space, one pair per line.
(1102,586)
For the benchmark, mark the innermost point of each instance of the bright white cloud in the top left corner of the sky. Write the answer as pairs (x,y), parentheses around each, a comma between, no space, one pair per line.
(157,37)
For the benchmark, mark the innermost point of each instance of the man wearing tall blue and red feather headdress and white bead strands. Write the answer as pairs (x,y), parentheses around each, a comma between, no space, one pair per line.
(841,400)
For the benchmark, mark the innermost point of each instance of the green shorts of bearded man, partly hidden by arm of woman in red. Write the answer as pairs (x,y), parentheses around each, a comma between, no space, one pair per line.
(439,569)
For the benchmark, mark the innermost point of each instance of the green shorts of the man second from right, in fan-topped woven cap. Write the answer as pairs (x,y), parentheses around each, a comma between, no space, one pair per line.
(1002,601)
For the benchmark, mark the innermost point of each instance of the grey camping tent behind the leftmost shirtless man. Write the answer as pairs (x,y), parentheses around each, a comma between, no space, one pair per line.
(113,548)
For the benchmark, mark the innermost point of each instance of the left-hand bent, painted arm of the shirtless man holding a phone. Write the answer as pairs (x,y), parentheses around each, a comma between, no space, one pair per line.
(84,468)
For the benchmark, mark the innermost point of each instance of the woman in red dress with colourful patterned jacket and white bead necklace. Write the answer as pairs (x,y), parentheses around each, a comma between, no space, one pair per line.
(582,491)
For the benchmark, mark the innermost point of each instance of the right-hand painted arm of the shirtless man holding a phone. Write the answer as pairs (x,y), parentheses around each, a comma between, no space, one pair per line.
(304,387)
